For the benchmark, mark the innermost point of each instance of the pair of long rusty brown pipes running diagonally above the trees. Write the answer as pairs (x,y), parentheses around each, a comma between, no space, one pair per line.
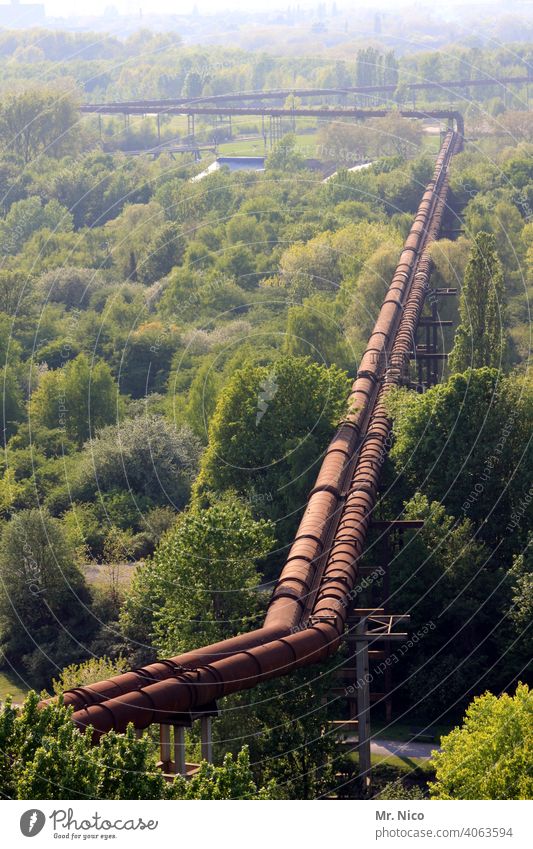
(307,613)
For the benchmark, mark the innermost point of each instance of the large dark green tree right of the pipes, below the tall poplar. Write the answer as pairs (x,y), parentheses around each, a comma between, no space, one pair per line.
(466,443)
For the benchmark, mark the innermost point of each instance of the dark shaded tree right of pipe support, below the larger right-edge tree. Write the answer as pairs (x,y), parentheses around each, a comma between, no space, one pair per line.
(450,585)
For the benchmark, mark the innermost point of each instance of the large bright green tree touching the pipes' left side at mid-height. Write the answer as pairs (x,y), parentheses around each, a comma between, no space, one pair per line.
(270,426)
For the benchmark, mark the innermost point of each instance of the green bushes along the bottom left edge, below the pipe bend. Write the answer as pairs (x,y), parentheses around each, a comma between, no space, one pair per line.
(44,756)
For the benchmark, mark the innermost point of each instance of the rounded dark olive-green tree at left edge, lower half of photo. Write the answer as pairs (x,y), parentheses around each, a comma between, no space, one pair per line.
(45,619)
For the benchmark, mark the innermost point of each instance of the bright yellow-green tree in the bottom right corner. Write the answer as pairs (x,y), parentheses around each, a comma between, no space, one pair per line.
(491,755)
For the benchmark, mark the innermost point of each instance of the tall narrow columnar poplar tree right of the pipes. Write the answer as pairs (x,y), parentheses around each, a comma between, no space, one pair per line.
(481,338)
